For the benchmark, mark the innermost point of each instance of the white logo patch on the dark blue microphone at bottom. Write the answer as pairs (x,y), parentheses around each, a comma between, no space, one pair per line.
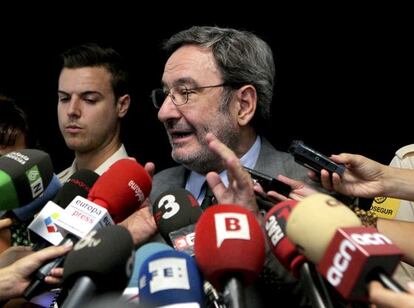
(167,273)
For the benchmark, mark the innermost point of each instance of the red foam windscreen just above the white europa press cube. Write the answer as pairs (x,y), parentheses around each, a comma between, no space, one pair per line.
(122,188)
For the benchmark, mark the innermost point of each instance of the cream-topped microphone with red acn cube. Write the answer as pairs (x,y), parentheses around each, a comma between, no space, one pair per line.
(348,255)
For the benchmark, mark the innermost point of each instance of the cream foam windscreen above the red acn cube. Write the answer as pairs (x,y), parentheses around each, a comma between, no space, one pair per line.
(312,238)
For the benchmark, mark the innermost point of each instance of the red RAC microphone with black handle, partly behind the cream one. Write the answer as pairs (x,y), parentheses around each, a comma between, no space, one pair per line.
(285,251)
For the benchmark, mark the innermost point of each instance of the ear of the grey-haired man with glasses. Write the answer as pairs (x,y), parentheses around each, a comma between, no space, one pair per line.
(247,99)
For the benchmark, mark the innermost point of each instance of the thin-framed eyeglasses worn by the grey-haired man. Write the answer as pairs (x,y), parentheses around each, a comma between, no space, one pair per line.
(179,94)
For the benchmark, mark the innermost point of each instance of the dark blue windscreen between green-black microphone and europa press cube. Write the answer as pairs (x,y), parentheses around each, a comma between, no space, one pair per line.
(28,211)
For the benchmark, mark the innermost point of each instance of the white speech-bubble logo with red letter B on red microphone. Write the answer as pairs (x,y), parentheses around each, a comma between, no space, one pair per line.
(231,226)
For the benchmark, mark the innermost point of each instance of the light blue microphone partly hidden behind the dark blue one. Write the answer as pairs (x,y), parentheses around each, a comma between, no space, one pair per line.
(130,293)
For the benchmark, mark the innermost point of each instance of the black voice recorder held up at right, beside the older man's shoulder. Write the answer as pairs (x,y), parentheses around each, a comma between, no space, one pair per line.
(312,159)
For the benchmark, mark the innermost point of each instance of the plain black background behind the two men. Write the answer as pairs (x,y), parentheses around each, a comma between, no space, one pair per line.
(344,74)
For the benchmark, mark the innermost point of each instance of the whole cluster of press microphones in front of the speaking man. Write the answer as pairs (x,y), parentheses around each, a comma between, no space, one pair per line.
(205,259)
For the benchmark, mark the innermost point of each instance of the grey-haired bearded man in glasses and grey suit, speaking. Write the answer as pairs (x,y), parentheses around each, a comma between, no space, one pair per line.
(220,81)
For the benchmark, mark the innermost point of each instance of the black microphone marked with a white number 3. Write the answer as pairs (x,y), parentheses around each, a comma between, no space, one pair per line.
(176,212)
